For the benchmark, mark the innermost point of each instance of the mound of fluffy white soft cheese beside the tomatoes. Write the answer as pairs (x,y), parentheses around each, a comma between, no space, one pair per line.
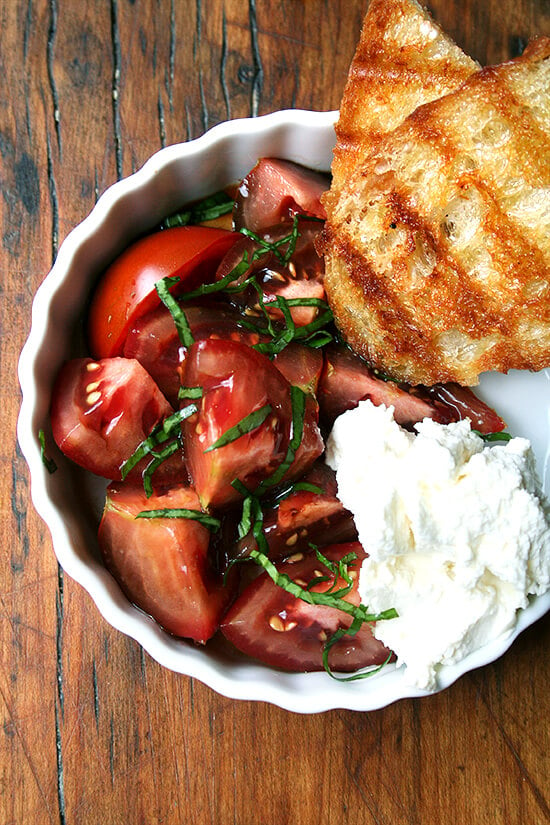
(457,532)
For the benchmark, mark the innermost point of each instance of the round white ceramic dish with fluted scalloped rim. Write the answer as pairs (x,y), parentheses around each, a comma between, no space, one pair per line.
(69,501)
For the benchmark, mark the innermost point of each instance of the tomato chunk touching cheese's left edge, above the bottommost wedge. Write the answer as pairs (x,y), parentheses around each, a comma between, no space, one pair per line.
(304,517)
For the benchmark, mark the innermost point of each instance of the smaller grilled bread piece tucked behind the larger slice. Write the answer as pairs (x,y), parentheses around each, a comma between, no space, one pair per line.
(403,59)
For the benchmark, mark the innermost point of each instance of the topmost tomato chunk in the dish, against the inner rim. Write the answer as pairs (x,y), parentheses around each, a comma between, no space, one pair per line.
(276,190)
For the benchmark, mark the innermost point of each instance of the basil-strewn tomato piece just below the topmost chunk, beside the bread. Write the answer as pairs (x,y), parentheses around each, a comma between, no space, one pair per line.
(301,278)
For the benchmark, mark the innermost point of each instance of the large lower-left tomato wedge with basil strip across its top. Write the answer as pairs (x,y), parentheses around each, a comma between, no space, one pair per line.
(163,565)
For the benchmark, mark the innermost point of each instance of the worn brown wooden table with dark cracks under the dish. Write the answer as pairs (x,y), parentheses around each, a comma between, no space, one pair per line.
(93,730)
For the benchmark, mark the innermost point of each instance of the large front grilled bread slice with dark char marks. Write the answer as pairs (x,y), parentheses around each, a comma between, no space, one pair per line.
(438,250)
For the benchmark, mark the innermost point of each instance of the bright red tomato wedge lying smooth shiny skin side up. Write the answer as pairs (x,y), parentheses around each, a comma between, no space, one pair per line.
(127,289)
